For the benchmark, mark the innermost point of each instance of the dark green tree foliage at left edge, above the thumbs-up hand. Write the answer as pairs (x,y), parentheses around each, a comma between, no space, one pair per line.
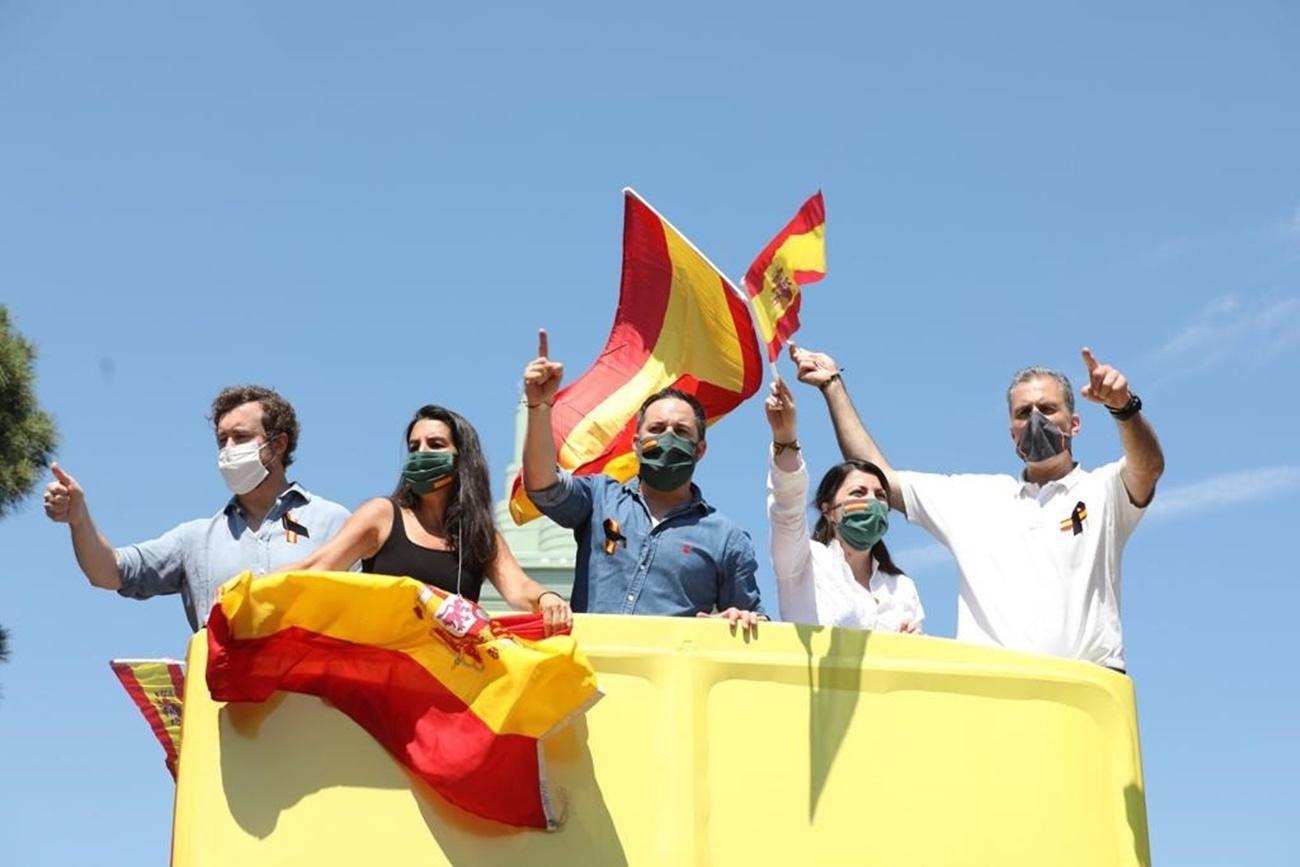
(28,435)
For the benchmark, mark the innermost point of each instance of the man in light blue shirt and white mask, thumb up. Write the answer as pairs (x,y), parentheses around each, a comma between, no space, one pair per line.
(270,522)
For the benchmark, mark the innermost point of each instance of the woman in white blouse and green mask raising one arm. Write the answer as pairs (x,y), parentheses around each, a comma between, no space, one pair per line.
(842,574)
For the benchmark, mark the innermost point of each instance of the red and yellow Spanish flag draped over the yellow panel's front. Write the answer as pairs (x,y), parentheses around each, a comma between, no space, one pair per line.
(461,700)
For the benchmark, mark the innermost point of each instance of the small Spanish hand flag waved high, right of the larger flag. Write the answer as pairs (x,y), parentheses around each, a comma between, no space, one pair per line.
(794,259)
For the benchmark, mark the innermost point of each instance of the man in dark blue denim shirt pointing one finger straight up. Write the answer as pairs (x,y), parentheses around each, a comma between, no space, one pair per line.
(652,545)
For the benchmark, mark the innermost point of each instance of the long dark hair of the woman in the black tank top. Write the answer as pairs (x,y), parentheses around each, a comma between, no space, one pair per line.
(469,522)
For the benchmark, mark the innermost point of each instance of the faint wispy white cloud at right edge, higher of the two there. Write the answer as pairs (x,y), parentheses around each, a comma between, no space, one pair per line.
(1234,330)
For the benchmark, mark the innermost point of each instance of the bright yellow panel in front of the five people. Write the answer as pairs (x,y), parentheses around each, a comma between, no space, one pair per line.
(803,745)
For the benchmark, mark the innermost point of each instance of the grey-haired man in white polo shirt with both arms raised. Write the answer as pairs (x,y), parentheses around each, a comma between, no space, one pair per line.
(1039,556)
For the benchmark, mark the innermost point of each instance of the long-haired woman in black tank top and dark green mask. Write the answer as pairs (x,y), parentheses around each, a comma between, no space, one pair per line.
(437,527)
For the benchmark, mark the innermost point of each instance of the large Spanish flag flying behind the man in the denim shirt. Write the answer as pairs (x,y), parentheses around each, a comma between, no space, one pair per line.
(681,323)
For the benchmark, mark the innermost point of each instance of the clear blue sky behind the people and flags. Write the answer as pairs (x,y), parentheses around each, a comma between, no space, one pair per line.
(371,209)
